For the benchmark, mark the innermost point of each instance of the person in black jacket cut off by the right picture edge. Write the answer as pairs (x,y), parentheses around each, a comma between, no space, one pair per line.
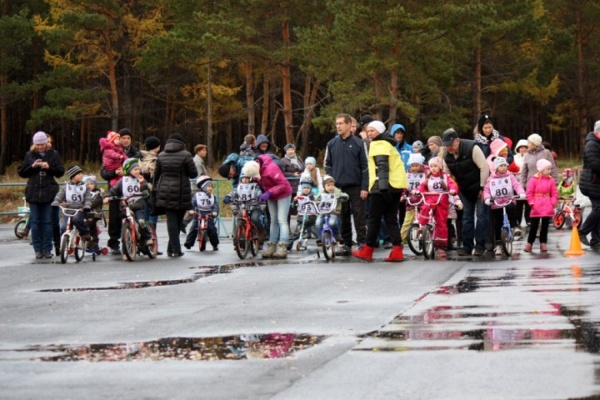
(588,183)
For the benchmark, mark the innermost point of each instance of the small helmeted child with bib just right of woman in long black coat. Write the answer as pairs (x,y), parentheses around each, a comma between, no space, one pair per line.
(204,203)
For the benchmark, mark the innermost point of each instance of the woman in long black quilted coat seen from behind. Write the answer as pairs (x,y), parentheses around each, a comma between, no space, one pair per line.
(174,169)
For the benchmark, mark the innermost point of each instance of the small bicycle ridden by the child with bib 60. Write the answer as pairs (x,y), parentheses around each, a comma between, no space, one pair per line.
(131,237)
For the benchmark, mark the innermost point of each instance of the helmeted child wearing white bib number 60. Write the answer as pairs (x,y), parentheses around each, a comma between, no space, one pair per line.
(134,189)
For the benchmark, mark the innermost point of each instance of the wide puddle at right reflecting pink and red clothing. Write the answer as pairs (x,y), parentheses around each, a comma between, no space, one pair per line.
(467,324)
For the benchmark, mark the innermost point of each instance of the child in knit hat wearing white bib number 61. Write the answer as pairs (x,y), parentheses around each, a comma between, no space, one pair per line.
(75,196)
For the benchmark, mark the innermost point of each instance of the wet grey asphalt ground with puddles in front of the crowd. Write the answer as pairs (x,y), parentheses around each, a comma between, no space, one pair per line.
(211,326)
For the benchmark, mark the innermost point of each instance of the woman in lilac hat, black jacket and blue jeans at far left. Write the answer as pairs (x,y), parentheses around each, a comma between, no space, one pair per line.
(41,165)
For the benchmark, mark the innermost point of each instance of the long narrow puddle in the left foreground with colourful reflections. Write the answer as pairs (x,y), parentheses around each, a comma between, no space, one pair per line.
(241,347)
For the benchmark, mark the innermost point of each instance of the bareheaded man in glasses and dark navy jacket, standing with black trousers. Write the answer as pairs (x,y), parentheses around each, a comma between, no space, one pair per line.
(346,160)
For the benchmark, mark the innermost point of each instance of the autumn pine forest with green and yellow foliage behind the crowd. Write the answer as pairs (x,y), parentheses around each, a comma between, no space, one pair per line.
(216,70)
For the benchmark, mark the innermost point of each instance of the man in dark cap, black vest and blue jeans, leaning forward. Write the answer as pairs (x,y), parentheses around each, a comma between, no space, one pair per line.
(466,162)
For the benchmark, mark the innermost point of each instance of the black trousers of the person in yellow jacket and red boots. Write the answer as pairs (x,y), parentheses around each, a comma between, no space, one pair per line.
(384,205)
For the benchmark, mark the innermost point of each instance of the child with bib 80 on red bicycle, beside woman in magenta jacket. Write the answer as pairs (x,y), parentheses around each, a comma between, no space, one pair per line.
(249,191)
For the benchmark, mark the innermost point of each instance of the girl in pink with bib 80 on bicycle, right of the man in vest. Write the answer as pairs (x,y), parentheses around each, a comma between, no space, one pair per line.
(501,186)
